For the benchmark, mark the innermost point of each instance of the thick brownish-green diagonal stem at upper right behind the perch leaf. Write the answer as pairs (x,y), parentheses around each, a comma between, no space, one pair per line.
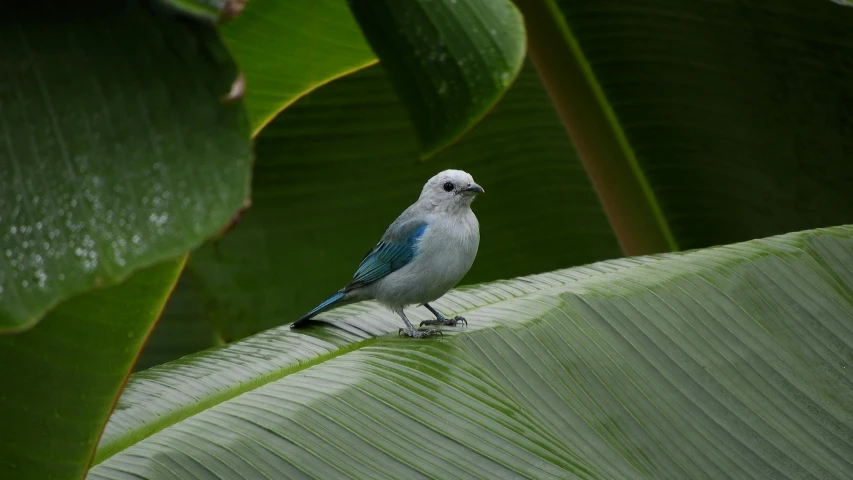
(628,200)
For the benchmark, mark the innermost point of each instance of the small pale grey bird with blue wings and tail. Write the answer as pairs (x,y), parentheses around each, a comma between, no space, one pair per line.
(421,256)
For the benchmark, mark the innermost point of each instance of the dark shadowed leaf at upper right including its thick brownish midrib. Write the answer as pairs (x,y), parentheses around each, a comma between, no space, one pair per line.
(704,122)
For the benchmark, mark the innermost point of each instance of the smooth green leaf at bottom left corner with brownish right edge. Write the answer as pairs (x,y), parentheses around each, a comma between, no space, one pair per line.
(60,380)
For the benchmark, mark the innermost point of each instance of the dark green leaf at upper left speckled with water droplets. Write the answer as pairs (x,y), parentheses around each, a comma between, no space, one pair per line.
(116,148)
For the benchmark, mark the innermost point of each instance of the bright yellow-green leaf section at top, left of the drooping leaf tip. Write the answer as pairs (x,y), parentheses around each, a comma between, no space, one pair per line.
(286,49)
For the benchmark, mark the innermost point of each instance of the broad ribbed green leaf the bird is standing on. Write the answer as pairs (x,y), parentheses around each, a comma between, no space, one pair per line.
(730,362)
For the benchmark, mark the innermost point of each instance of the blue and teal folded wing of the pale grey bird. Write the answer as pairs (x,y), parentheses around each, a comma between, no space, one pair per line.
(396,249)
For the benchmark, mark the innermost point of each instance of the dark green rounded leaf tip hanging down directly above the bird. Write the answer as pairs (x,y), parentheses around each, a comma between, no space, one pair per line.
(449,61)
